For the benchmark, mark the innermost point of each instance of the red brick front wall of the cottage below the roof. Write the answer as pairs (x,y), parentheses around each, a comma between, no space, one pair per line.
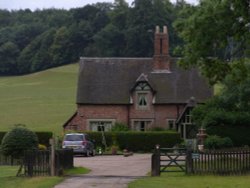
(124,114)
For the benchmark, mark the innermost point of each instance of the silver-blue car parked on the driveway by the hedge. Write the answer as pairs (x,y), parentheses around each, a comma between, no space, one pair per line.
(80,143)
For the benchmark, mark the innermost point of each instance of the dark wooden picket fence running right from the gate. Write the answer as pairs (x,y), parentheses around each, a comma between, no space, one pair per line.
(234,162)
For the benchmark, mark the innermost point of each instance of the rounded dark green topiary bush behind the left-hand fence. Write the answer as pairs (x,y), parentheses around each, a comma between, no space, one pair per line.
(16,141)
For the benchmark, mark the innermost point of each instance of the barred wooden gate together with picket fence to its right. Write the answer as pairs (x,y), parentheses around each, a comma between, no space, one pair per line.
(222,162)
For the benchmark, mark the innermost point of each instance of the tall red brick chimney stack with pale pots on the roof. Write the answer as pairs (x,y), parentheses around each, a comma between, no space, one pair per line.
(161,48)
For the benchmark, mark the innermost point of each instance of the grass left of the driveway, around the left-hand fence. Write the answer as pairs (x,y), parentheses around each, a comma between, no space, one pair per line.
(8,179)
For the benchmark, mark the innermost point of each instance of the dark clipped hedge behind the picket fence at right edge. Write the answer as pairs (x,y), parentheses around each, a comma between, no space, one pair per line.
(238,134)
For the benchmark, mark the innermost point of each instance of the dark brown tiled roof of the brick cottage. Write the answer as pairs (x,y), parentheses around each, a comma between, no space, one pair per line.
(109,81)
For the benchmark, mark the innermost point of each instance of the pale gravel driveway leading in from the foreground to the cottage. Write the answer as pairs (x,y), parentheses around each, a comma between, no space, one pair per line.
(109,171)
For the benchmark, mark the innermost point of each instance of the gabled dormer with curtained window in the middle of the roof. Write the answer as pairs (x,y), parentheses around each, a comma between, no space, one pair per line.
(142,94)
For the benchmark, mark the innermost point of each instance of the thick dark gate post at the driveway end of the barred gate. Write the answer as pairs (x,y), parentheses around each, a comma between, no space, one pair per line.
(155,162)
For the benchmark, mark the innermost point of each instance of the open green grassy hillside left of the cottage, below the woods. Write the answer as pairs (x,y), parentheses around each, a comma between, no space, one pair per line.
(43,101)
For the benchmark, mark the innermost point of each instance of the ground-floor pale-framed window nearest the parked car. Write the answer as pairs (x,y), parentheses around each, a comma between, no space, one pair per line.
(100,124)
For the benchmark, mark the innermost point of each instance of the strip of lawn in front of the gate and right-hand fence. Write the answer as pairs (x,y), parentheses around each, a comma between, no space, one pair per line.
(179,180)
